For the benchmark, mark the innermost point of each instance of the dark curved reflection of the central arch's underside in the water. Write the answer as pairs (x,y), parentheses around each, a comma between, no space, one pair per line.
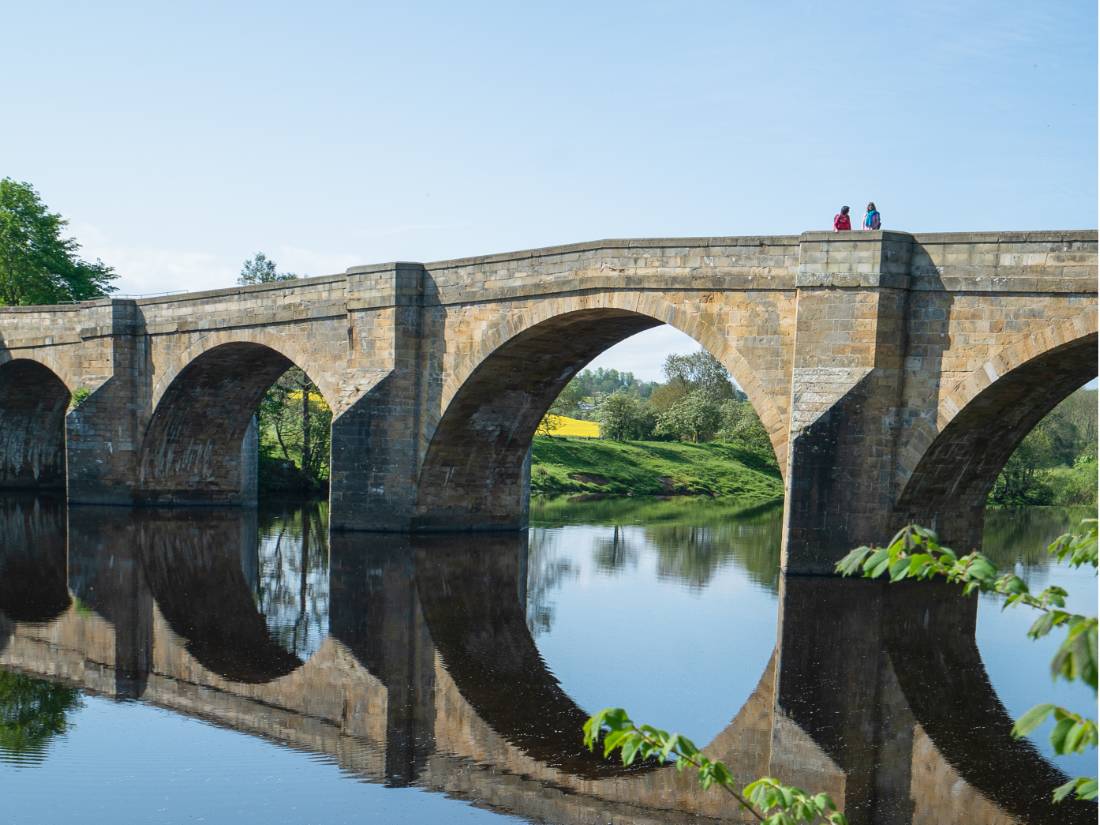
(470,590)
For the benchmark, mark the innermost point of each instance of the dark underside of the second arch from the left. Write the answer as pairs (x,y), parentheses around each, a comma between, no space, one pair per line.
(192,449)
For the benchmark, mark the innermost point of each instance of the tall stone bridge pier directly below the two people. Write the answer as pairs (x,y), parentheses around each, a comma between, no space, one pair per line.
(846,394)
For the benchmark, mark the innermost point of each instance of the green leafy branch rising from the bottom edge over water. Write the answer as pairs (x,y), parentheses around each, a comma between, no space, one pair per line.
(768,800)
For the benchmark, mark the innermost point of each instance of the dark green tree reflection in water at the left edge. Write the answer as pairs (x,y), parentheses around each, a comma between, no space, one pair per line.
(32,712)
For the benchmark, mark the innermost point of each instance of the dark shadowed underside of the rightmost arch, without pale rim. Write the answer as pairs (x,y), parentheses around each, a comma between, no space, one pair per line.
(949,487)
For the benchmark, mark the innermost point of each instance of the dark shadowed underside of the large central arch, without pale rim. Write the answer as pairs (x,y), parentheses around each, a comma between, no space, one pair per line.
(475,475)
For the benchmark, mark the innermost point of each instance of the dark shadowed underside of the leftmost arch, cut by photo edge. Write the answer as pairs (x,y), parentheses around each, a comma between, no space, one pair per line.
(34,403)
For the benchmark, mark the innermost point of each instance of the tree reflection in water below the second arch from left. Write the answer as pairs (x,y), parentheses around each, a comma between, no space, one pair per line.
(292,585)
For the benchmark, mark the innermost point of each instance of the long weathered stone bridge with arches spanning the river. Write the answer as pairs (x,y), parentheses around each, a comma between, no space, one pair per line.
(895,375)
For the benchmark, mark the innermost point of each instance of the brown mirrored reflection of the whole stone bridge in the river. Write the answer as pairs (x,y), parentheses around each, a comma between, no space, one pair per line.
(430,675)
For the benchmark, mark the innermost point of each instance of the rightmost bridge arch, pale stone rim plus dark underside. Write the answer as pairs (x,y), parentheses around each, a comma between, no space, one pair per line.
(948,472)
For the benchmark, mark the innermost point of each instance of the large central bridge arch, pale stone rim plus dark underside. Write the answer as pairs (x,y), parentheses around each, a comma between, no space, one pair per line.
(474,472)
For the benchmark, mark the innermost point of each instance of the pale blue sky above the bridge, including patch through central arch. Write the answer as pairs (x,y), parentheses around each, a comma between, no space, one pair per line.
(181,139)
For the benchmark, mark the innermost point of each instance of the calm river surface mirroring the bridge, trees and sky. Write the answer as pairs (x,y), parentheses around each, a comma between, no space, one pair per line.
(207,666)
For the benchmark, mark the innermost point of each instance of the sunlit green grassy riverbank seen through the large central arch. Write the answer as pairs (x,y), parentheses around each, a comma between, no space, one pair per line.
(718,469)
